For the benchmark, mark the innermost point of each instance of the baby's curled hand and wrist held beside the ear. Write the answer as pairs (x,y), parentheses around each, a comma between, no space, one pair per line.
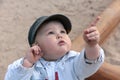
(33,55)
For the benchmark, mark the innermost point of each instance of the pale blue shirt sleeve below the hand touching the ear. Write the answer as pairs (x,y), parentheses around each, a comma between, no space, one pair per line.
(18,71)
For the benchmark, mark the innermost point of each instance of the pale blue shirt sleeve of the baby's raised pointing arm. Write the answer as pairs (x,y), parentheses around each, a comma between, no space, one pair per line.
(83,69)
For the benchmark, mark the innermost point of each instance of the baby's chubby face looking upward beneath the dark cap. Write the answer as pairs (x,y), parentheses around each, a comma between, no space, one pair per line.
(53,40)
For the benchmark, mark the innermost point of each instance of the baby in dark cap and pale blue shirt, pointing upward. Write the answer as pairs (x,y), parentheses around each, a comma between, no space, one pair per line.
(50,56)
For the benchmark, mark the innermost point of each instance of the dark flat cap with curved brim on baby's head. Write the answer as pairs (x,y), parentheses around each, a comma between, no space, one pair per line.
(41,20)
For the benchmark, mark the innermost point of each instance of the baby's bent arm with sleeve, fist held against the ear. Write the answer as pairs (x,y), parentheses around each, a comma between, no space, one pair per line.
(23,68)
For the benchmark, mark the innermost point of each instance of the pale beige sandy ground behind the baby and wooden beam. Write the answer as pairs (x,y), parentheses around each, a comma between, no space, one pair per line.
(16,16)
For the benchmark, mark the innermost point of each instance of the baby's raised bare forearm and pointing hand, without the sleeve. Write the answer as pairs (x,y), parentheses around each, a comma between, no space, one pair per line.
(91,36)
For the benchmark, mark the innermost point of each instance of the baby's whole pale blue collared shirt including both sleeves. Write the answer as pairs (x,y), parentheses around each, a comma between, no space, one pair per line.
(71,67)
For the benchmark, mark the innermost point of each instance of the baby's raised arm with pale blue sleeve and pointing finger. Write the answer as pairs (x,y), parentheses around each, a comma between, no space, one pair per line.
(92,57)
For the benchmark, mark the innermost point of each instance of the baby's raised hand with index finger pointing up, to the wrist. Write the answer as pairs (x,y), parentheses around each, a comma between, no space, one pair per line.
(91,35)
